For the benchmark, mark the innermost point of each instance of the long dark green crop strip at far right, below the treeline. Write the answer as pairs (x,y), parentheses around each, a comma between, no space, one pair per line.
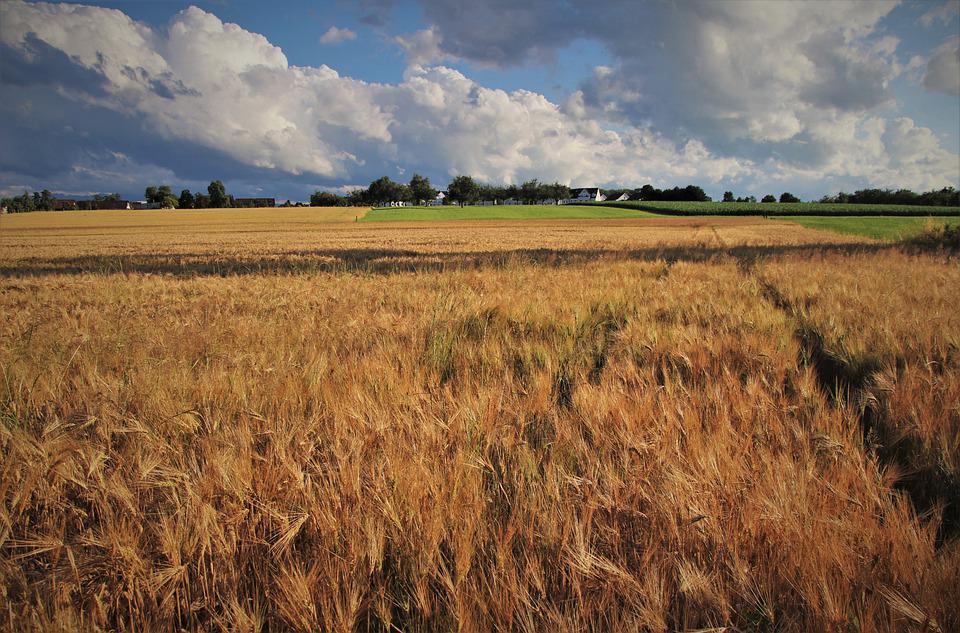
(781,209)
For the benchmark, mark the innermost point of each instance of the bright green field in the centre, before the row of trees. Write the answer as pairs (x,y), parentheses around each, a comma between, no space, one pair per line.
(501,212)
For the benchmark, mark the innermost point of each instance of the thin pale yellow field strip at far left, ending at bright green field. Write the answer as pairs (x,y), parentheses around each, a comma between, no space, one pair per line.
(209,219)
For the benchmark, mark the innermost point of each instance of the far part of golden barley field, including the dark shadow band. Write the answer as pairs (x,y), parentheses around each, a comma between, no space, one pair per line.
(297,240)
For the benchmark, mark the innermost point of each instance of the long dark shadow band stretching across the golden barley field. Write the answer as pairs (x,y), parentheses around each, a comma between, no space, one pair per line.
(386,261)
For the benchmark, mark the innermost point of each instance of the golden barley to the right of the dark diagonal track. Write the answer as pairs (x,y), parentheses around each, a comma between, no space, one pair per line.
(890,326)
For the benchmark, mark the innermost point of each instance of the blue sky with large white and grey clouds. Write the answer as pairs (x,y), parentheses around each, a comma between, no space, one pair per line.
(285,98)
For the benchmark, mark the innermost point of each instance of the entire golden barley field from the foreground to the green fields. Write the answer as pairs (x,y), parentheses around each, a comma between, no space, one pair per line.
(264,423)
